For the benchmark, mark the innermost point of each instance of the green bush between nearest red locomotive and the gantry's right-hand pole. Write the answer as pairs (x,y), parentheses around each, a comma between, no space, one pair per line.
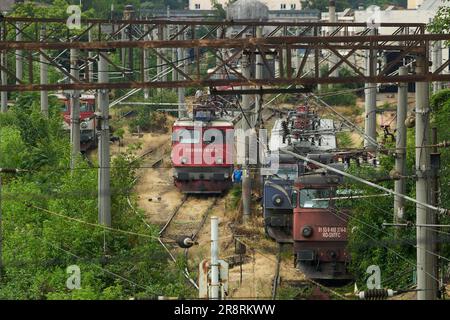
(369,242)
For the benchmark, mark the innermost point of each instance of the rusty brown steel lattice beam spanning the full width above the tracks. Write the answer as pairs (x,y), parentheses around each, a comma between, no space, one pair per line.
(224,41)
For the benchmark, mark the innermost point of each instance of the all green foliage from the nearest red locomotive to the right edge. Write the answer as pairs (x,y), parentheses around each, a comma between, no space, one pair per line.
(393,248)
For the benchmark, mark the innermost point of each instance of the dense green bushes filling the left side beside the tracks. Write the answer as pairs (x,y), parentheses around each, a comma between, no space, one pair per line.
(50,221)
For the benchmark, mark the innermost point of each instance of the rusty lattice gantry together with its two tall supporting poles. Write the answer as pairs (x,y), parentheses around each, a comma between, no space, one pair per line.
(171,54)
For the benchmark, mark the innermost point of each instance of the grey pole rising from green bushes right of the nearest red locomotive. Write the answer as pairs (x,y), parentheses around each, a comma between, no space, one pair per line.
(400,152)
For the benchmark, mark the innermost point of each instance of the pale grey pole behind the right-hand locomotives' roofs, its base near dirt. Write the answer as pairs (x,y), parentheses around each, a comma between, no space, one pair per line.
(370,128)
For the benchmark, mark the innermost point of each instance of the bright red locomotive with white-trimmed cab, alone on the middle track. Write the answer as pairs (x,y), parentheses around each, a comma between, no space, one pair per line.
(202,151)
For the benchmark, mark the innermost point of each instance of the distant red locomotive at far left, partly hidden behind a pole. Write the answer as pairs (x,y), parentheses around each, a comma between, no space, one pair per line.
(88,138)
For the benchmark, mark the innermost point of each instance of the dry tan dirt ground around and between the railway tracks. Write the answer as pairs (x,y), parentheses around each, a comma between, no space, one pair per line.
(158,197)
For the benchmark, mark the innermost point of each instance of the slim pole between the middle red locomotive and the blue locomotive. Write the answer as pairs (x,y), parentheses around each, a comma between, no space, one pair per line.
(246,178)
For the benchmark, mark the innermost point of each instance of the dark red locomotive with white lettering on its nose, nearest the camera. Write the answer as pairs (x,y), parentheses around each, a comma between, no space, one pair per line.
(319,229)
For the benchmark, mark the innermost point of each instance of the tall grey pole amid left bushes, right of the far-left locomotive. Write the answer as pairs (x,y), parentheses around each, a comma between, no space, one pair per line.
(104,195)
